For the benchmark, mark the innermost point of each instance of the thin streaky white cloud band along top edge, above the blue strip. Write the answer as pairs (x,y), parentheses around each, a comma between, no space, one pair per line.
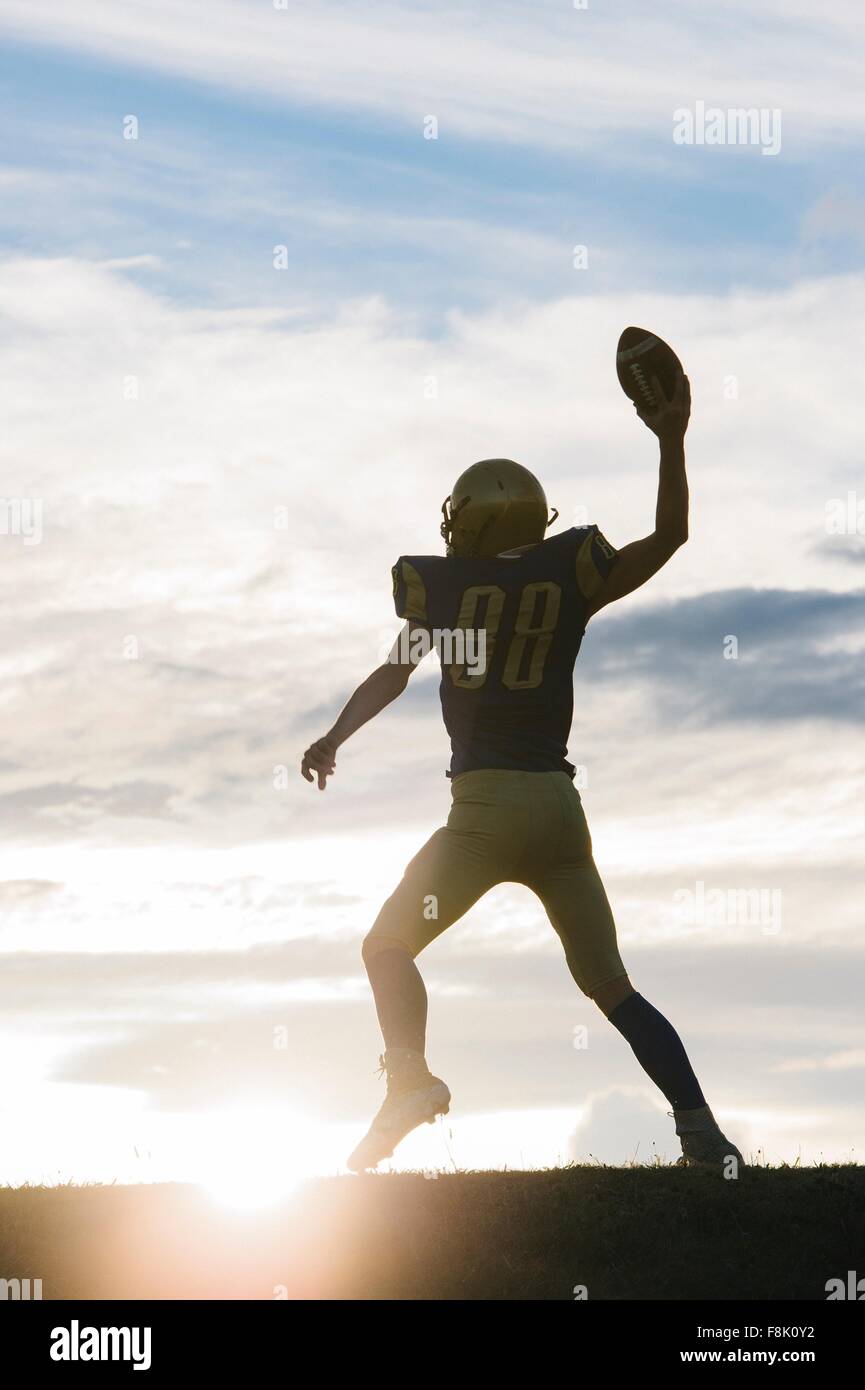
(540,77)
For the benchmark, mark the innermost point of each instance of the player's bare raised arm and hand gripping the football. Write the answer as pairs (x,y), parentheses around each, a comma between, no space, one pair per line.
(638,562)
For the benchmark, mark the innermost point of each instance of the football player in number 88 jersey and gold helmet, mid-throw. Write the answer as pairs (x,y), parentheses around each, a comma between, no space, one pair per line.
(517,815)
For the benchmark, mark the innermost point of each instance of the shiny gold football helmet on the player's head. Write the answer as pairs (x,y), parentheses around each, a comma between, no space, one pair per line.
(497,505)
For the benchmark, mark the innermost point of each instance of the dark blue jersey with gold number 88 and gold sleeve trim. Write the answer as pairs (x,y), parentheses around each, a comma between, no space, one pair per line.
(508,632)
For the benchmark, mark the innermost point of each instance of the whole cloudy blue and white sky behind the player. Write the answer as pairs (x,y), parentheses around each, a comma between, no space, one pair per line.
(272,277)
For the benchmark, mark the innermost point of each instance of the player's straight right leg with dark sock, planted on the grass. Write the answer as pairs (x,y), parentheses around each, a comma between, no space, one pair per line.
(578,906)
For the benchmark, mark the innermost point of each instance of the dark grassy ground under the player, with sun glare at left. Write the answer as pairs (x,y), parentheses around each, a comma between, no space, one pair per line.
(621,1232)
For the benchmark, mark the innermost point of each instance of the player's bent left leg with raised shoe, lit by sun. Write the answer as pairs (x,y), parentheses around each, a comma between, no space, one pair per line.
(453,871)
